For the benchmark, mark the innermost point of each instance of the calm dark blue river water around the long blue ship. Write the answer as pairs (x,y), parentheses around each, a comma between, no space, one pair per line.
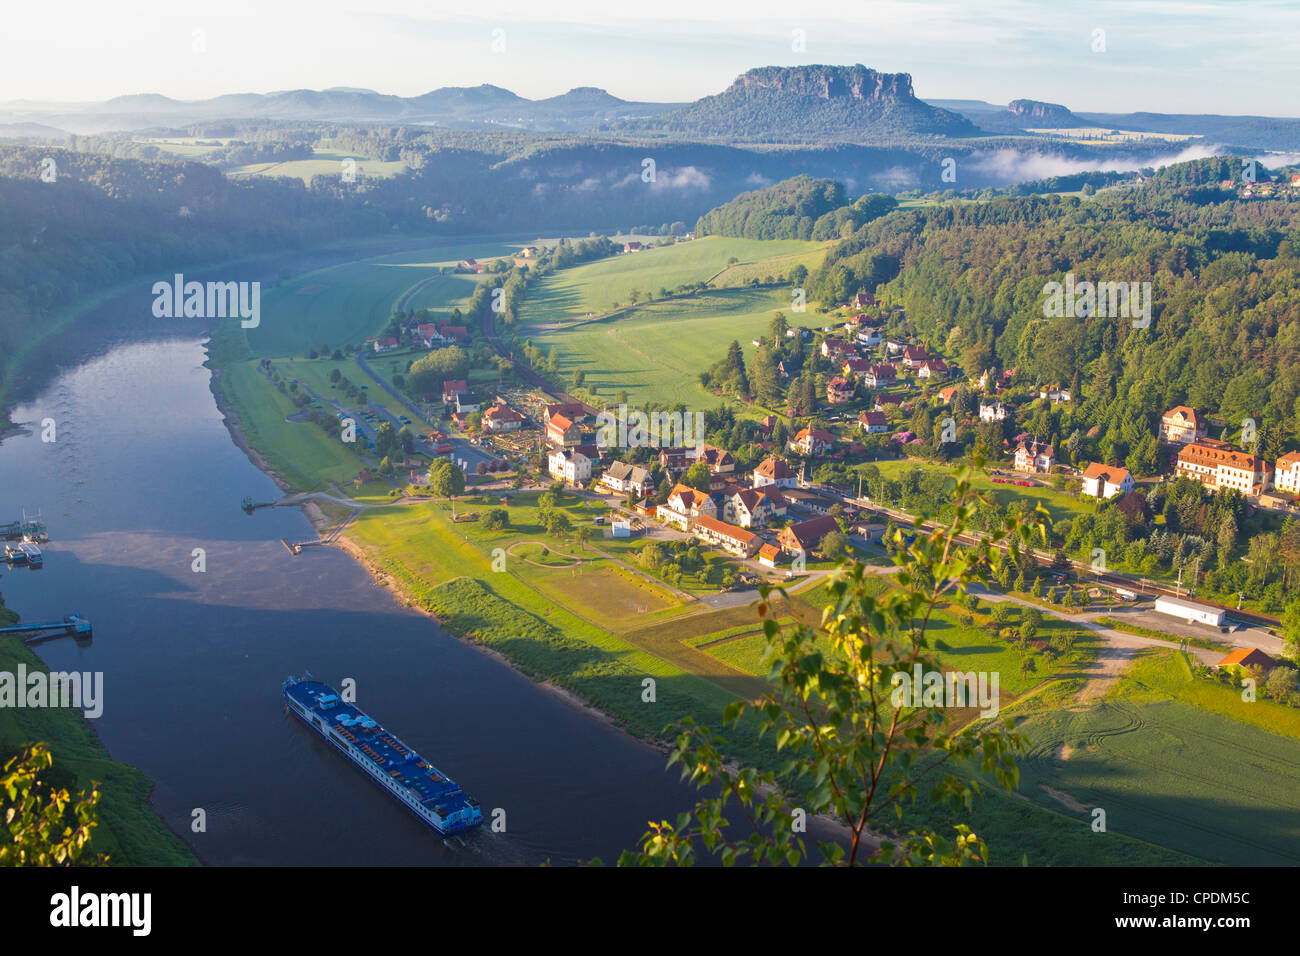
(142,471)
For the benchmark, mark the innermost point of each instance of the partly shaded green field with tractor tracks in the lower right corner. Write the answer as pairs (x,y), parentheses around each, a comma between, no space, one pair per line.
(1181,763)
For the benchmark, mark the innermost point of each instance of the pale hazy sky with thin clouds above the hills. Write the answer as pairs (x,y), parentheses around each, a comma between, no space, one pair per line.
(1234,57)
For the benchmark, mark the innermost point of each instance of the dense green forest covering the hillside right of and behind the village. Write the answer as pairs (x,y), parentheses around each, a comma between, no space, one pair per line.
(1225,279)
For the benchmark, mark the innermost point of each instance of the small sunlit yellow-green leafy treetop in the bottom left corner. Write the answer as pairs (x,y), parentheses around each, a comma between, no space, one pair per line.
(45,827)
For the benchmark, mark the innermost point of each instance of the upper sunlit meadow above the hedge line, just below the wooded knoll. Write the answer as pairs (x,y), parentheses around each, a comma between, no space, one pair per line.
(595,288)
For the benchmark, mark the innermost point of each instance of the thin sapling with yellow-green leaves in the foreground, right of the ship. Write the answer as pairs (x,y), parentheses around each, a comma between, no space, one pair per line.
(853,743)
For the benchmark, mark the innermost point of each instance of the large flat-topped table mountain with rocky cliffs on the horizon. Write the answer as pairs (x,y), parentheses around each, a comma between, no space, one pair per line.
(814,103)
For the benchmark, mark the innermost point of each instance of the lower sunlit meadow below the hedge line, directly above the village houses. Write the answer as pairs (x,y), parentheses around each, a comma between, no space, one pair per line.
(656,353)
